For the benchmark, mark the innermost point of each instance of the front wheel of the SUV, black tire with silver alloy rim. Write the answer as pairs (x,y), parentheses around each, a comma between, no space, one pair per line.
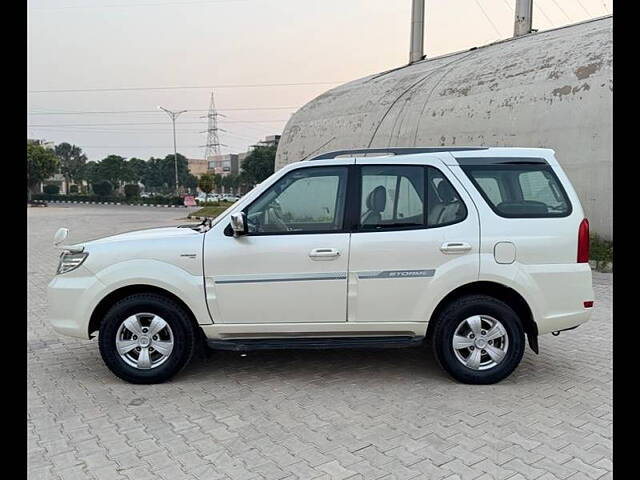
(174,343)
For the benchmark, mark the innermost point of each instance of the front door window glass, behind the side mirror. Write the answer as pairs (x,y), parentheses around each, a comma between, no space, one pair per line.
(305,200)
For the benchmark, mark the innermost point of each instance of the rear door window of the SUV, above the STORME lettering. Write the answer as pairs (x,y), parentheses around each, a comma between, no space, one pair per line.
(393,196)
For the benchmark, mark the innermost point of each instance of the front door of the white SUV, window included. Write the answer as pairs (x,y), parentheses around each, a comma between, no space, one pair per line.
(292,265)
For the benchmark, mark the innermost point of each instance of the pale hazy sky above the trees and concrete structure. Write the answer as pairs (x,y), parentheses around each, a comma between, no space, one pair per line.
(311,45)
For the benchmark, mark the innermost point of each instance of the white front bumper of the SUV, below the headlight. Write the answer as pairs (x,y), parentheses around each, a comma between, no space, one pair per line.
(71,300)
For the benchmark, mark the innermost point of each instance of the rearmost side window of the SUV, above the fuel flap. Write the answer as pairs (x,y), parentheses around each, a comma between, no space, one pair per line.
(520,190)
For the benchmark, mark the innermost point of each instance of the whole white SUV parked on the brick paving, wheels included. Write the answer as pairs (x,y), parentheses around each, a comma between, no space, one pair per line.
(468,249)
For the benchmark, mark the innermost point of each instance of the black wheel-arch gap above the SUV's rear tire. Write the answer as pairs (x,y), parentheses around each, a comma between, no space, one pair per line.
(496,290)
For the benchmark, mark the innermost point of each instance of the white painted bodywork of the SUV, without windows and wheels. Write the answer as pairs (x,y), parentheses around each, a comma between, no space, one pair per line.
(268,286)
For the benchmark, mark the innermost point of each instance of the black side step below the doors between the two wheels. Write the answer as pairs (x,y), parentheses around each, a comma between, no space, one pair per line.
(246,345)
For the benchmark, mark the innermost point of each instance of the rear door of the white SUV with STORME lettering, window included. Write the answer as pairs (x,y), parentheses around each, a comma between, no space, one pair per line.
(416,238)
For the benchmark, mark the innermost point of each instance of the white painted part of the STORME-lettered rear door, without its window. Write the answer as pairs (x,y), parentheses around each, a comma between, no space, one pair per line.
(400,275)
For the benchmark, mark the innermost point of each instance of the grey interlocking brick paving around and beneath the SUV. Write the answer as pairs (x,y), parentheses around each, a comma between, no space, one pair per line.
(336,414)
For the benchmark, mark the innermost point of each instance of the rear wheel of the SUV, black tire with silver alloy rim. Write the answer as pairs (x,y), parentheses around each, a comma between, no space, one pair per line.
(477,360)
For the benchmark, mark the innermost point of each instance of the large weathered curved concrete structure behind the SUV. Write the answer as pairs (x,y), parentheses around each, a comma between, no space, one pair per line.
(551,89)
